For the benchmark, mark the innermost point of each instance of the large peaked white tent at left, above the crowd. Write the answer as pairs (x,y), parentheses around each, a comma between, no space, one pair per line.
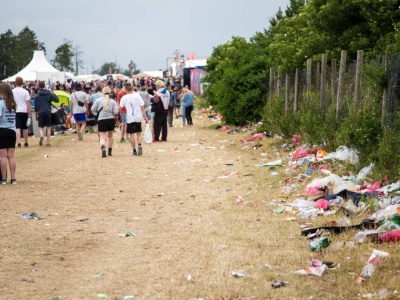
(38,69)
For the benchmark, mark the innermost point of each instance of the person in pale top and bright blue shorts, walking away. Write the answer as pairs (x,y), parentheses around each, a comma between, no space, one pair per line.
(79,102)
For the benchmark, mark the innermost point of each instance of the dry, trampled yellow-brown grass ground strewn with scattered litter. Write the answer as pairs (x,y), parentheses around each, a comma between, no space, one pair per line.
(186,219)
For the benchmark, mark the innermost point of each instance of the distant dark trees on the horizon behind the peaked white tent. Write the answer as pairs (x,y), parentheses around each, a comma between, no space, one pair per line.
(16,51)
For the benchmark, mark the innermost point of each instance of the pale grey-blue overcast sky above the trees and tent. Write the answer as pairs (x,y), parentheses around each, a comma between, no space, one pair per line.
(146,32)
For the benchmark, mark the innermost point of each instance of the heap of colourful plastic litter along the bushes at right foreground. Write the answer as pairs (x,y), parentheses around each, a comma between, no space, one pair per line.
(348,197)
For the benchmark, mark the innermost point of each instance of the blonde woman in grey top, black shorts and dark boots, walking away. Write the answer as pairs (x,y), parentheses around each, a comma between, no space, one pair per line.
(106,110)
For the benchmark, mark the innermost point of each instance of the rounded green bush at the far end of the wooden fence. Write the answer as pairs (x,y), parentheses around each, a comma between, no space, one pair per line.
(236,77)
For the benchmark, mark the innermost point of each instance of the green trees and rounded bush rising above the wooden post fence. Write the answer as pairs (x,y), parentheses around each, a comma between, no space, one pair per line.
(237,81)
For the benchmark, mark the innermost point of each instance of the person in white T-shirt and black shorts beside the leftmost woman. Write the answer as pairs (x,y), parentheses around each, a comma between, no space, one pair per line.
(22,98)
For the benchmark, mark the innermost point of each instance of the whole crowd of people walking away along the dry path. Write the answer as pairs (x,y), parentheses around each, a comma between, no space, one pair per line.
(113,104)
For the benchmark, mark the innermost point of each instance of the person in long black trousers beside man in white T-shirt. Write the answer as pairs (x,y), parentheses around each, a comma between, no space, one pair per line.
(160,107)
